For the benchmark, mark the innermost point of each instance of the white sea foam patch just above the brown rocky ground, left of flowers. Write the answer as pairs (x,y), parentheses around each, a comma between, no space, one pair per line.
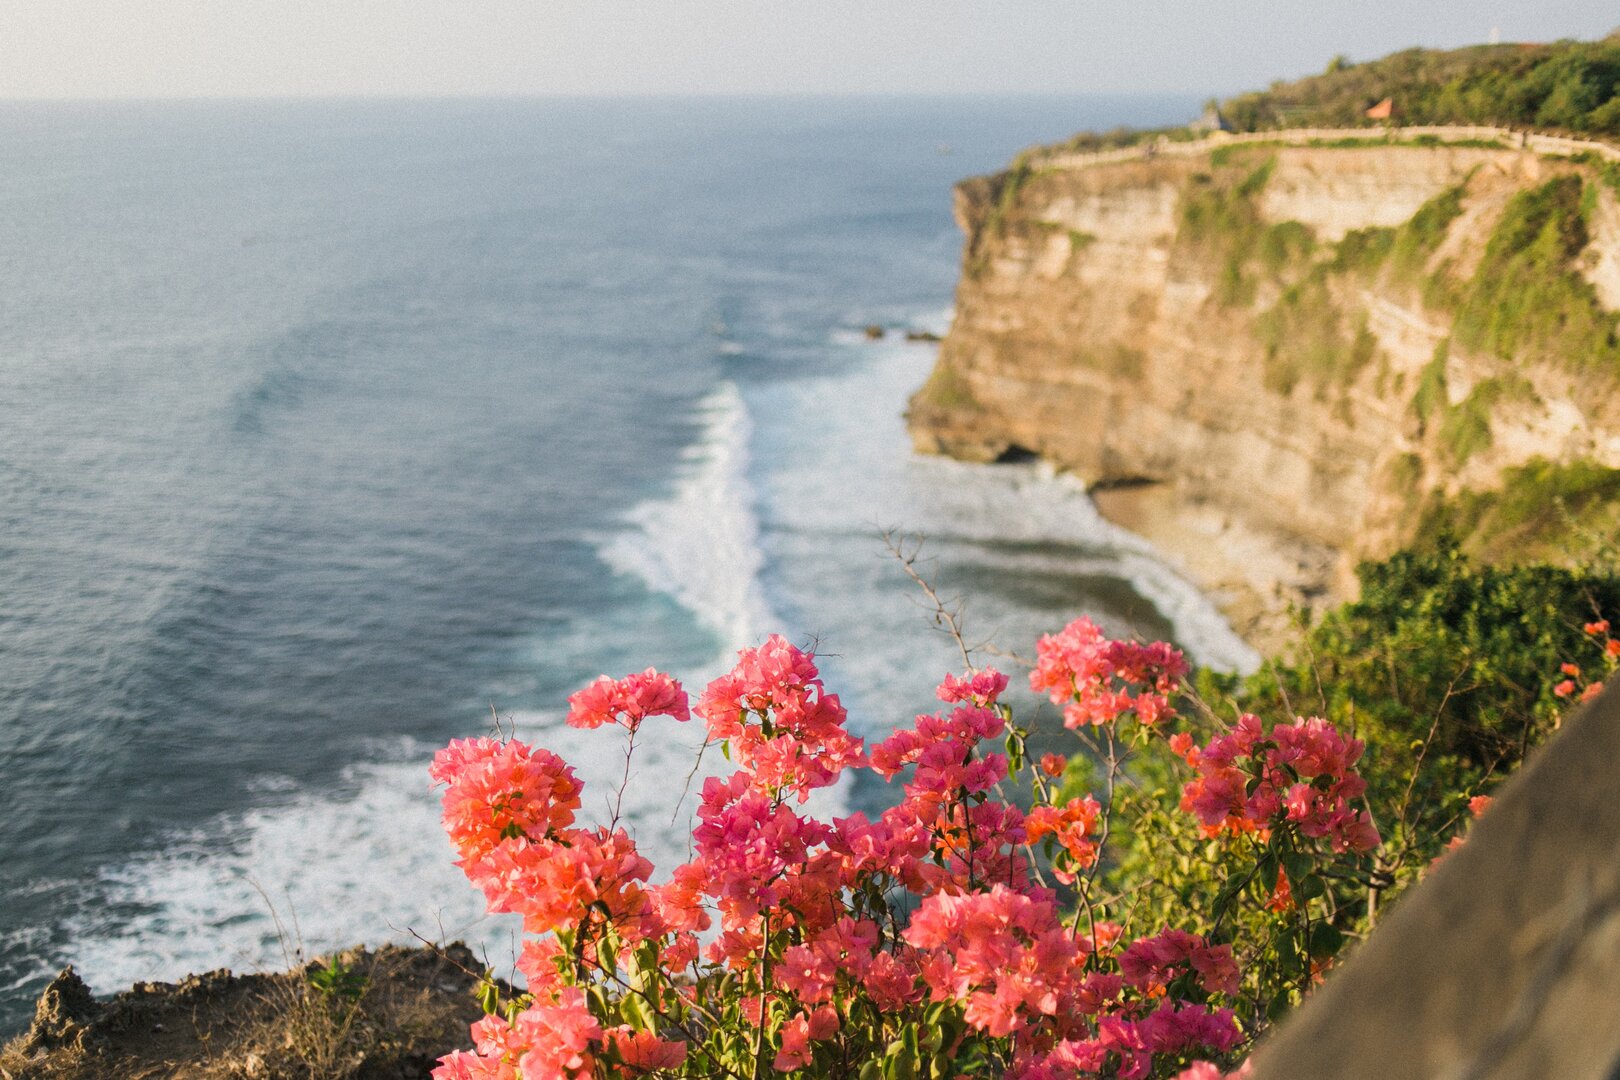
(304,877)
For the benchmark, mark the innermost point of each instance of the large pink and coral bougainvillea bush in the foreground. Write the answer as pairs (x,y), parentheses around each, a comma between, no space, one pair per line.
(926,938)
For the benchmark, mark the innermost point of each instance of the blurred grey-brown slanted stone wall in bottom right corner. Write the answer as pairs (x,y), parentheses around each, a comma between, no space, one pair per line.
(1504,964)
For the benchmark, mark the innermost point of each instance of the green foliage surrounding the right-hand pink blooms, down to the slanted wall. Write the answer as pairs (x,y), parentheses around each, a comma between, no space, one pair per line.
(1446,668)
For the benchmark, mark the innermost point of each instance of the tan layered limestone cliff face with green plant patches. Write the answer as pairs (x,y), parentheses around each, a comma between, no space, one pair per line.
(1277,360)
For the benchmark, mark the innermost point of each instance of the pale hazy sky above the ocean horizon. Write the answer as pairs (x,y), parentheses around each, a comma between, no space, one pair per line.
(318,48)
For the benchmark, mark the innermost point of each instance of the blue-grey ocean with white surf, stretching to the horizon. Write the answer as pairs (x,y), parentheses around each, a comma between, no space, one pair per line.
(331,432)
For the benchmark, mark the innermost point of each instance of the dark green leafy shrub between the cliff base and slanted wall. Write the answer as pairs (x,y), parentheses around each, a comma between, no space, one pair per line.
(1447,670)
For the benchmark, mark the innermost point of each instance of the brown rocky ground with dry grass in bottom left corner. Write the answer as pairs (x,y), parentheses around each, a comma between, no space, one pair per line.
(385,1014)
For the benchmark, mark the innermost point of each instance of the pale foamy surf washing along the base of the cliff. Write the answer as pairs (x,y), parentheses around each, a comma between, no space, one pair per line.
(840,470)
